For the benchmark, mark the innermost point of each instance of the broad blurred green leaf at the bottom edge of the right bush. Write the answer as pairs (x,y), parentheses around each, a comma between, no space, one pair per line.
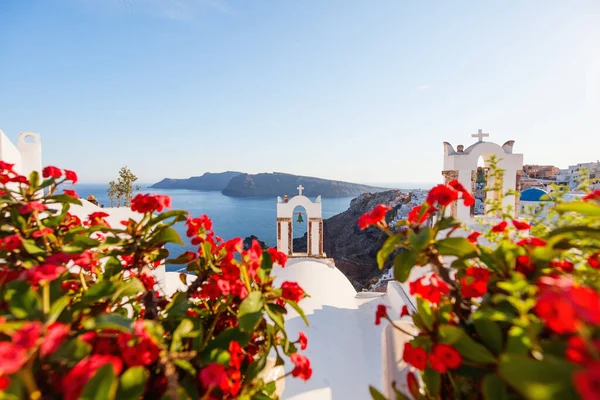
(538,380)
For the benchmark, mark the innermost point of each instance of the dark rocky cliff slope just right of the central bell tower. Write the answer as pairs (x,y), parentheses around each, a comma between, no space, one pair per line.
(355,250)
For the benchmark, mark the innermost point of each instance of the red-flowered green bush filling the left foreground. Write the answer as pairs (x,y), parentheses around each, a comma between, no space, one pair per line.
(81,315)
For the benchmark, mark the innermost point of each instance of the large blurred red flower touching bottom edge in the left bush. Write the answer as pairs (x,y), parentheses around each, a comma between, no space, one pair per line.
(75,380)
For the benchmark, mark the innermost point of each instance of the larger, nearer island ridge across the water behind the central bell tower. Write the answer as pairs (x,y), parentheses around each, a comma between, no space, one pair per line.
(278,184)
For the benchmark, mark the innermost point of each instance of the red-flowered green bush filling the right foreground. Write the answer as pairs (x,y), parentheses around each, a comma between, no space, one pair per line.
(516,318)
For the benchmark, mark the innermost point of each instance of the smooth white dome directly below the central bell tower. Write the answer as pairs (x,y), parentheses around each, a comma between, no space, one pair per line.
(324,283)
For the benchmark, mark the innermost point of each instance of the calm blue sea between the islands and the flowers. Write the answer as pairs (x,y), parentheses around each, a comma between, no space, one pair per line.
(232,216)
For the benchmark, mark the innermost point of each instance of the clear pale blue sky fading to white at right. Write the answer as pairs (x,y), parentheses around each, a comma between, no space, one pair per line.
(363,91)
